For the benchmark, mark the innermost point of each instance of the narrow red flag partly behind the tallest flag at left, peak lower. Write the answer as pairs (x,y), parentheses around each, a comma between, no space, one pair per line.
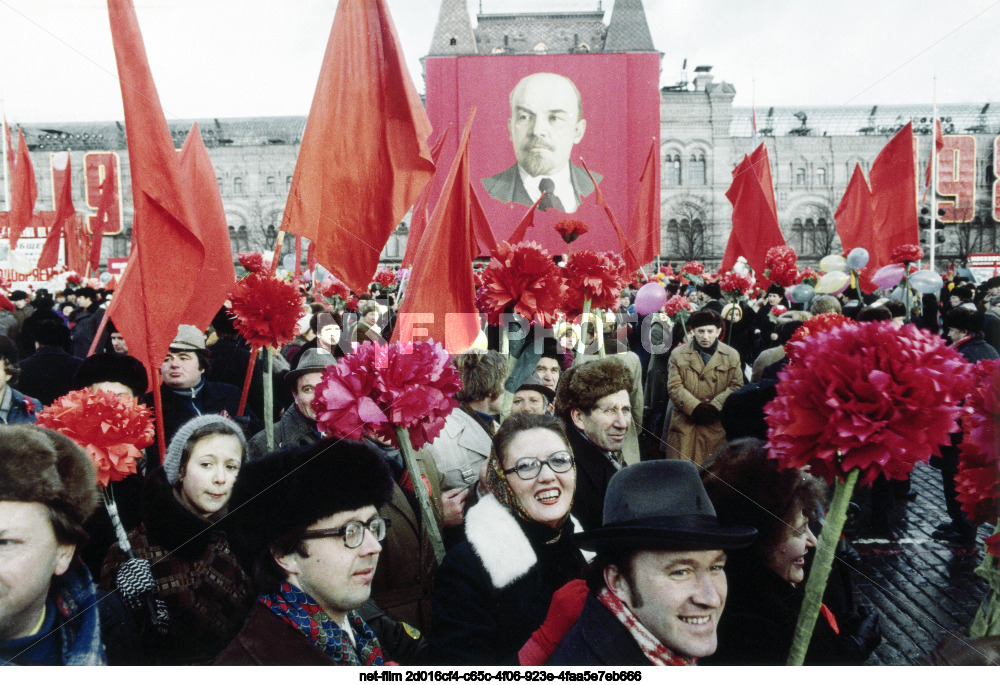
(216,276)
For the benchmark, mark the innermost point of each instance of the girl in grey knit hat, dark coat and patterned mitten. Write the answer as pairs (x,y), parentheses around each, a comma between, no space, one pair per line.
(184,563)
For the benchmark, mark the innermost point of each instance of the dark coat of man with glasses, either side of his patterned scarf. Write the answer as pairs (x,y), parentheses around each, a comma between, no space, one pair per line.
(266,640)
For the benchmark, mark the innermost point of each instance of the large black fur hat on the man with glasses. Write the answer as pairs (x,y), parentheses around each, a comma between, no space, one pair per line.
(292,488)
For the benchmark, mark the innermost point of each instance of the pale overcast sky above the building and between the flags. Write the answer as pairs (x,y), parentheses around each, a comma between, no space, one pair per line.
(230,58)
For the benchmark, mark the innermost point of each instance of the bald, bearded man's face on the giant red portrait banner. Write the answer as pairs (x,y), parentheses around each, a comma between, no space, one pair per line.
(544,122)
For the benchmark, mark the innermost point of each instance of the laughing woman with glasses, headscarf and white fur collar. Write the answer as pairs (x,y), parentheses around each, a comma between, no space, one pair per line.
(493,590)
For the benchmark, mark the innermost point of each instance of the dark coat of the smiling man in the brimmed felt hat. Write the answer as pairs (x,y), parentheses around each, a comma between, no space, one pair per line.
(598,639)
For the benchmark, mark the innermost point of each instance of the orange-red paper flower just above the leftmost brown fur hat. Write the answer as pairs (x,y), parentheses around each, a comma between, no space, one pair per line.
(113,430)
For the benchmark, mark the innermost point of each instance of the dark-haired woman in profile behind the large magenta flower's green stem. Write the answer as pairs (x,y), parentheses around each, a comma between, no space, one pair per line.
(766,580)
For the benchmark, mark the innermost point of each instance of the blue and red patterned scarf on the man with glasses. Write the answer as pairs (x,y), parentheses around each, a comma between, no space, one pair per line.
(300,611)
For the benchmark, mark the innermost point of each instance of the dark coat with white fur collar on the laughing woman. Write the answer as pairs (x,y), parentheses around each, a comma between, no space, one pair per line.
(493,590)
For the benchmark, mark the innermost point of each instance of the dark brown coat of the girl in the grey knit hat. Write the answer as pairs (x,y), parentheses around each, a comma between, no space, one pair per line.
(207,593)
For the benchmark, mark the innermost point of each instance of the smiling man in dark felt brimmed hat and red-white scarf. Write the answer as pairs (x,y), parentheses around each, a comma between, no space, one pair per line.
(658,582)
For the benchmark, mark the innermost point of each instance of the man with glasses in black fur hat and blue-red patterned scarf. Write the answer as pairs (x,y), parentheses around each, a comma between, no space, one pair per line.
(306,521)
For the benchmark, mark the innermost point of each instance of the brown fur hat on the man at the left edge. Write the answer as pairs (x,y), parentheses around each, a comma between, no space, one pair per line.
(38,465)
